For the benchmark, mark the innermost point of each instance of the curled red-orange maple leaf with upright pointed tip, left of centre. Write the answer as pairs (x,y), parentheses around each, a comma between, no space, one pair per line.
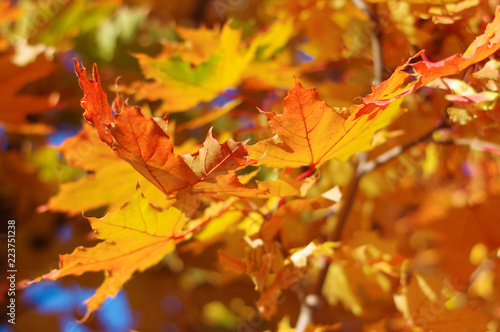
(143,142)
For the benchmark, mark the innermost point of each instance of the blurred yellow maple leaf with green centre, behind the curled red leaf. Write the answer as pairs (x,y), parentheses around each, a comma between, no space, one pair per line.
(206,64)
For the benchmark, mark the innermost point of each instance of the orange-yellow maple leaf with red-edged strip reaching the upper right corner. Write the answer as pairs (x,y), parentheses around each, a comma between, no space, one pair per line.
(310,133)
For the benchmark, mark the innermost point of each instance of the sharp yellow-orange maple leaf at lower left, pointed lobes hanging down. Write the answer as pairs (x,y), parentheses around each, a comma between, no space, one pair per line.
(135,238)
